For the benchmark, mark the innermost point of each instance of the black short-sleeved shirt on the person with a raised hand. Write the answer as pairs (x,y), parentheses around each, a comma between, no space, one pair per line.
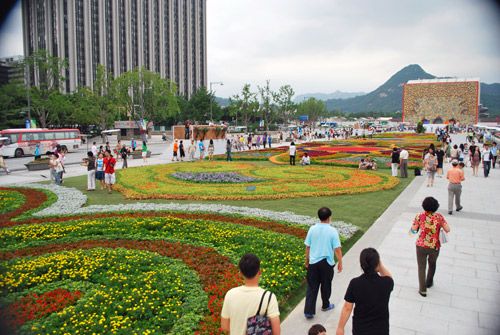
(370,295)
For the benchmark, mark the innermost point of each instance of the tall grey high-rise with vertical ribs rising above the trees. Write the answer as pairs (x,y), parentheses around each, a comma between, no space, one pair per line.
(164,36)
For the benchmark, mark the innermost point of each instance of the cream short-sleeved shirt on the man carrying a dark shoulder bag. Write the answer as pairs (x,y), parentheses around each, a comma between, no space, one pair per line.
(242,302)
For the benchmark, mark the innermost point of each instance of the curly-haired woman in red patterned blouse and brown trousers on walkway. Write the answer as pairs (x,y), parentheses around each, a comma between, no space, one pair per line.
(428,225)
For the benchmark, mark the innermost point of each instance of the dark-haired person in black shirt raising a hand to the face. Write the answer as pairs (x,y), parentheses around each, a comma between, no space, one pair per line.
(369,294)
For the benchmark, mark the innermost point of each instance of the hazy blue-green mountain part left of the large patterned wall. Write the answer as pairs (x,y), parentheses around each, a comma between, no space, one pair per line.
(386,98)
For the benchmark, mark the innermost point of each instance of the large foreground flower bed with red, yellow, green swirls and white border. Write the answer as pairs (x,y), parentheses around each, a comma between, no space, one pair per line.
(83,270)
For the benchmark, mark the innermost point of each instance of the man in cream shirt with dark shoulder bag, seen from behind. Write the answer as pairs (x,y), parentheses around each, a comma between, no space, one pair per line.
(244,302)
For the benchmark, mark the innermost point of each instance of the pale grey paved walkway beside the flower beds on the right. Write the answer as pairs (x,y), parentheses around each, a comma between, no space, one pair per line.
(465,298)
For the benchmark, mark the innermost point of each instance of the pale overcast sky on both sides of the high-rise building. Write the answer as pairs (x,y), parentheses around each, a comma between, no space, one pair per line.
(328,45)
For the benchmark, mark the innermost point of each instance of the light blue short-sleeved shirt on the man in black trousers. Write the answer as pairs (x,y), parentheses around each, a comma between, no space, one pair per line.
(322,240)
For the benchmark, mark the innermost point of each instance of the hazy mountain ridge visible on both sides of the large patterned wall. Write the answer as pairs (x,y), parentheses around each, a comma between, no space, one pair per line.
(388,97)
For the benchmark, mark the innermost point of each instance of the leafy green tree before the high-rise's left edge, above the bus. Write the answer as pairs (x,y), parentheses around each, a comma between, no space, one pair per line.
(47,69)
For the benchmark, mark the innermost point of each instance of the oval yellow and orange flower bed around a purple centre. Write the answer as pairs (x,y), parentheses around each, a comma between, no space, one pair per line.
(273,182)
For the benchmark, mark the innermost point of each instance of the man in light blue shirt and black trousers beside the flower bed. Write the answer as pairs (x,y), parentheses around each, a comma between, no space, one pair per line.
(322,241)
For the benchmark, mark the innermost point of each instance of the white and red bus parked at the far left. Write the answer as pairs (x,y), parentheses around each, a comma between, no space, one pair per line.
(20,142)
